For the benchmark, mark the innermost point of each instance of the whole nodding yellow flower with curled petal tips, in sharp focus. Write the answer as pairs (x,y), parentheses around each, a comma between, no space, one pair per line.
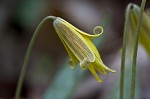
(80,47)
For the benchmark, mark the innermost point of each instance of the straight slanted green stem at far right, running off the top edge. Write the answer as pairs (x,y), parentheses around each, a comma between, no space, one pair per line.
(136,49)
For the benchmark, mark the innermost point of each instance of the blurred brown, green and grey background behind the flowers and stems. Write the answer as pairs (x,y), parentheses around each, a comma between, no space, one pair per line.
(48,75)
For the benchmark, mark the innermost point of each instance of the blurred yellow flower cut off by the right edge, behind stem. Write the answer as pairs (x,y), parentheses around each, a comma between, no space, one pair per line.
(145,27)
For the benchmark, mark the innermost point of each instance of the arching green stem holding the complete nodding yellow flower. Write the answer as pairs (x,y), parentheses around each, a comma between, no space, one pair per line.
(28,55)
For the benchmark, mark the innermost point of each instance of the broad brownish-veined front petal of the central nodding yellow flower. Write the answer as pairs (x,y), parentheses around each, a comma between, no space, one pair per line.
(75,42)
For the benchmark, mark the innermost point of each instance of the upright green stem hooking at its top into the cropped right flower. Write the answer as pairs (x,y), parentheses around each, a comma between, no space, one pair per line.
(123,57)
